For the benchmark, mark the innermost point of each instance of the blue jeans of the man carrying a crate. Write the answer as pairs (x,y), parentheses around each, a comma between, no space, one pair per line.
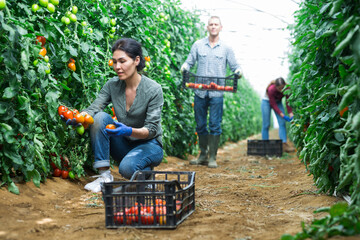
(215,106)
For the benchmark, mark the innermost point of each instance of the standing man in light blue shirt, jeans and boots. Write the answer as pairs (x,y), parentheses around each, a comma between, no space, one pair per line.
(212,56)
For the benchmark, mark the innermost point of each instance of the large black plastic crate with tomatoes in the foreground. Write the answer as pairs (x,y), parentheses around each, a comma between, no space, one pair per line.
(151,199)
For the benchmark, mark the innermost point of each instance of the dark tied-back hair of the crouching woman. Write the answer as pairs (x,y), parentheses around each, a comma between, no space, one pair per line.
(132,48)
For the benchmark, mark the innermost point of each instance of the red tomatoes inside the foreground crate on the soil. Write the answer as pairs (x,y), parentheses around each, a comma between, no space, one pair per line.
(147,215)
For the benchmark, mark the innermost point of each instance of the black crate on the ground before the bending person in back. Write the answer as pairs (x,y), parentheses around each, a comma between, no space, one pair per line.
(265,147)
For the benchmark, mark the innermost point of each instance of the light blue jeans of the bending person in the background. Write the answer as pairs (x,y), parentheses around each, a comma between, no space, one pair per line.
(266,114)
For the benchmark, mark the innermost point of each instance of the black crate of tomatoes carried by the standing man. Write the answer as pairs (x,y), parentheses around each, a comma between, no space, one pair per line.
(227,84)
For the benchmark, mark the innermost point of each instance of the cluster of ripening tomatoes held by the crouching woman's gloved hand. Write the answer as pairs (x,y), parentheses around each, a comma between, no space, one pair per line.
(83,118)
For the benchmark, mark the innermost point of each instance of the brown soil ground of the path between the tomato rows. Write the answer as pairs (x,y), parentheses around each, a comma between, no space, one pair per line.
(246,197)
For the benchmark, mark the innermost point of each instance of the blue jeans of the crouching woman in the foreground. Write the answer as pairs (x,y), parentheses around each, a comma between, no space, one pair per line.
(132,155)
